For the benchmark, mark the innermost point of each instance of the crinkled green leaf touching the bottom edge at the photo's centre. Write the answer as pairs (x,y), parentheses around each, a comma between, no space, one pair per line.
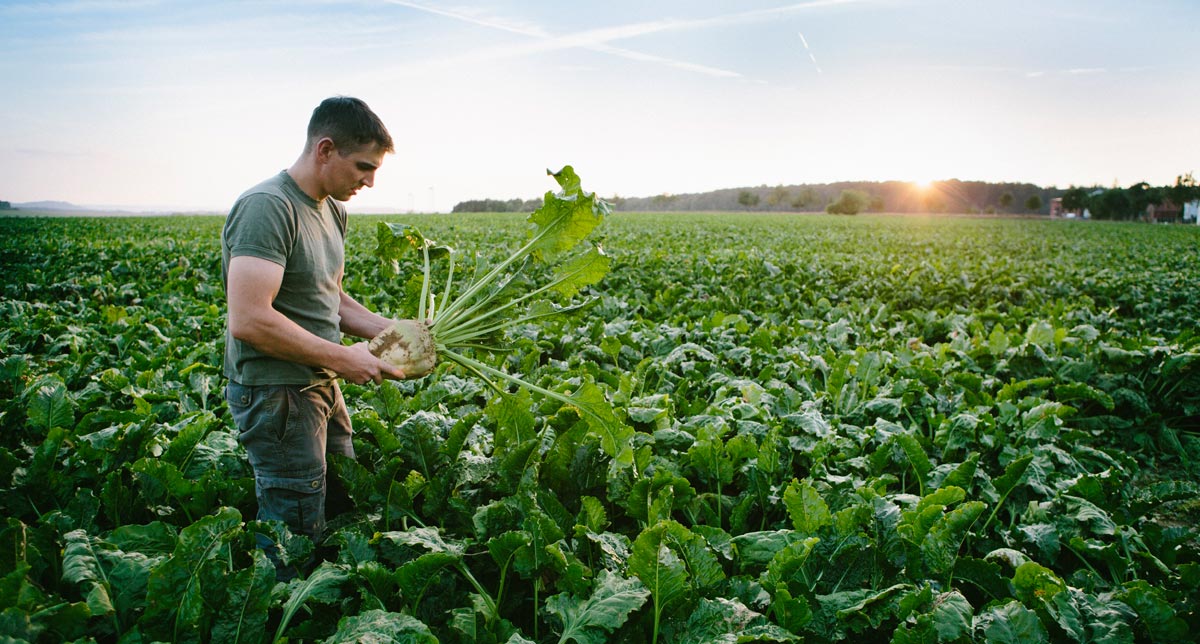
(591,621)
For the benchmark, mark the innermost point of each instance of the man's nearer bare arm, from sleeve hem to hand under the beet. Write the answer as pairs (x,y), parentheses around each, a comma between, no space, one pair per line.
(253,285)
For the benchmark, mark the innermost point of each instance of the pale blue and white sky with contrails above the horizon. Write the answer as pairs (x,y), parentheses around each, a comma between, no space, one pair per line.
(165,105)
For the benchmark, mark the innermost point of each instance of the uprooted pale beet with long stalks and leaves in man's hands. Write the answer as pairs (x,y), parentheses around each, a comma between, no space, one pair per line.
(496,299)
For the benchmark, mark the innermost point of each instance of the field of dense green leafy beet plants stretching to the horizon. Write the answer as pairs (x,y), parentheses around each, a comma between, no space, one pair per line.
(824,430)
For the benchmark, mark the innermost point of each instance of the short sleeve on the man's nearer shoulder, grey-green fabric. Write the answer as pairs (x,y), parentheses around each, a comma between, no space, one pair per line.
(261,226)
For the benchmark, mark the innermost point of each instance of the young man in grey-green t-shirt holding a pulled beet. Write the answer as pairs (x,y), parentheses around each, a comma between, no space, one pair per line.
(283,258)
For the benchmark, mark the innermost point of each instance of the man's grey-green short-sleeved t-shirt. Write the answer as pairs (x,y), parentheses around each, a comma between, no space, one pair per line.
(277,221)
